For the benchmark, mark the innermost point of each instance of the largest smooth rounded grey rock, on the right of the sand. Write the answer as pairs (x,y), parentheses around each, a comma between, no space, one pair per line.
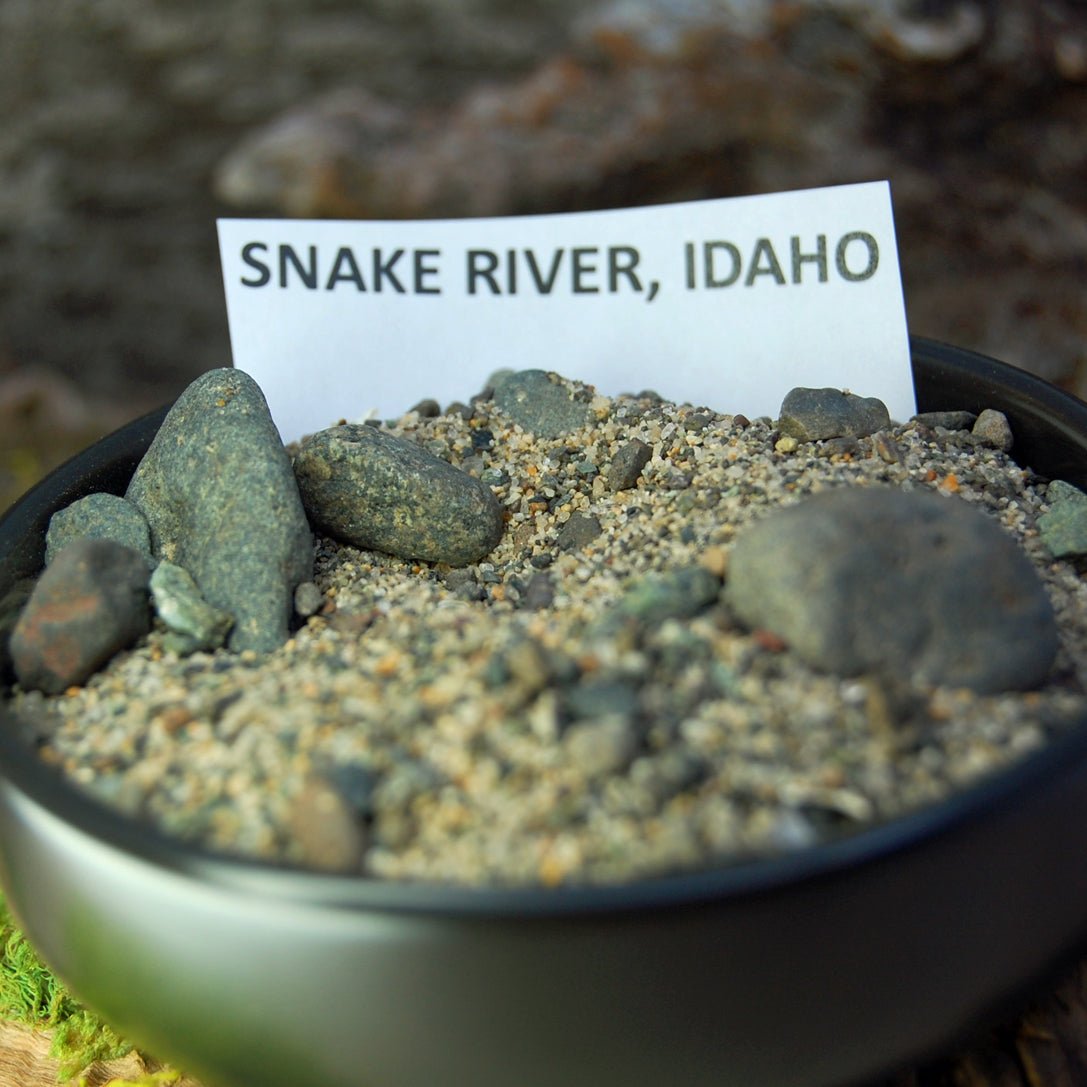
(908,584)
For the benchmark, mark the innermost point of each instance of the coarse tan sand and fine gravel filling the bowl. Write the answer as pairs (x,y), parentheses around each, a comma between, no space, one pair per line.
(574,708)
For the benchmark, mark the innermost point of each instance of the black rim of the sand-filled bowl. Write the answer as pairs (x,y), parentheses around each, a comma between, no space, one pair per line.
(718,885)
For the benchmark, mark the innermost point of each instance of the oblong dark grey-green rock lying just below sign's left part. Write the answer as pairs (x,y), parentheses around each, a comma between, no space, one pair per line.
(377,491)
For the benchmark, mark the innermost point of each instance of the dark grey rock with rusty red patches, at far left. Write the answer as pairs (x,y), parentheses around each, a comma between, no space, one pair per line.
(90,604)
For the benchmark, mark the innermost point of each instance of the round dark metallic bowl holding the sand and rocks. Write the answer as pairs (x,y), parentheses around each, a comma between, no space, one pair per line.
(813,983)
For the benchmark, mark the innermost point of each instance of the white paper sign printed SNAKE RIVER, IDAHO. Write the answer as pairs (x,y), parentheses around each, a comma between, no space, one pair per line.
(726,304)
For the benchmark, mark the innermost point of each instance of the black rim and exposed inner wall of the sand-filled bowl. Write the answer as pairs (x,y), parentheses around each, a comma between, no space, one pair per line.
(1051,431)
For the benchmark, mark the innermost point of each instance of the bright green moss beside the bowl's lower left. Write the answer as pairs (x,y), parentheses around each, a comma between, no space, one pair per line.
(32,995)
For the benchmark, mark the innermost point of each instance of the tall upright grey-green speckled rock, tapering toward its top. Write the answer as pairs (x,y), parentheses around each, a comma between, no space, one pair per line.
(218,490)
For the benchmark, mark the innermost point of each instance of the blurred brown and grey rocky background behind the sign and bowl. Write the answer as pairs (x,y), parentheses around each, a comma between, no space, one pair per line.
(128,129)
